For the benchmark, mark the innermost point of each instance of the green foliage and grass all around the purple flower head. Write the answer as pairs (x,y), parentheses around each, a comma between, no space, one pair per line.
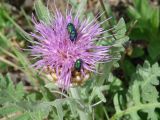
(104,96)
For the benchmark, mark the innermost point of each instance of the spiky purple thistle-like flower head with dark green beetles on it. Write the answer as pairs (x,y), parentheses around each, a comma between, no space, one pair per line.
(56,51)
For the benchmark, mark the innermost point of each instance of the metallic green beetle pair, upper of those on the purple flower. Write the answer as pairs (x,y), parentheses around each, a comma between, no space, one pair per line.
(72,32)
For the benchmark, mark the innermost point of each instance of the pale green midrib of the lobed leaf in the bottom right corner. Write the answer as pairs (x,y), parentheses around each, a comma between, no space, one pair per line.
(134,108)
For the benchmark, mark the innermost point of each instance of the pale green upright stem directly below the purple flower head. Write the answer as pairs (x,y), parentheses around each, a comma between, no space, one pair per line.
(76,95)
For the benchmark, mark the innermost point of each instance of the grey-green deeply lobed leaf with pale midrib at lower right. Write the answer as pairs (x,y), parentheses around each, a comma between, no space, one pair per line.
(142,94)
